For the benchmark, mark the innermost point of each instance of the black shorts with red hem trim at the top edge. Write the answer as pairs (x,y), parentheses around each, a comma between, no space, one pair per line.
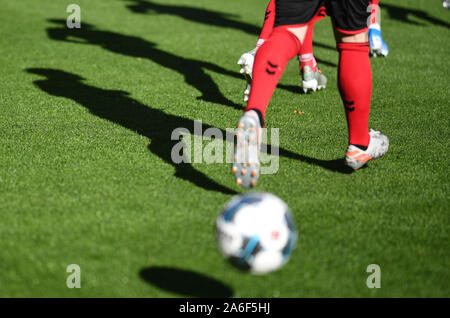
(349,16)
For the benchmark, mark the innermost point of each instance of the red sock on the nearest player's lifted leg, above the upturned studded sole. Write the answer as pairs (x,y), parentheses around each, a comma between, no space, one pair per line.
(270,62)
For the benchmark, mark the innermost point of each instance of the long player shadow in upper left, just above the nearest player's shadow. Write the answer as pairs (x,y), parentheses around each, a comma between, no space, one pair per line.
(192,70)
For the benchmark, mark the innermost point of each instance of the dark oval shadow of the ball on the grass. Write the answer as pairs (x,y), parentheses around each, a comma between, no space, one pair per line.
(186,283)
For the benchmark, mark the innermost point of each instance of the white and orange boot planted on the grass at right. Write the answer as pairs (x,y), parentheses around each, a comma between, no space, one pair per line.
(378,146)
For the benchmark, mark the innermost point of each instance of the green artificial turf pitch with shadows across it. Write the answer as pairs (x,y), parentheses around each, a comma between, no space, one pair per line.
(86,177)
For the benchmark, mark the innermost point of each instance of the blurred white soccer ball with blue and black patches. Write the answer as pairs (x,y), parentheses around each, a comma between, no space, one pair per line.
(256,232)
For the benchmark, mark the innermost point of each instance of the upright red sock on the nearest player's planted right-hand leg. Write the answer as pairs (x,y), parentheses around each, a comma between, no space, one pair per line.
(355,86)
